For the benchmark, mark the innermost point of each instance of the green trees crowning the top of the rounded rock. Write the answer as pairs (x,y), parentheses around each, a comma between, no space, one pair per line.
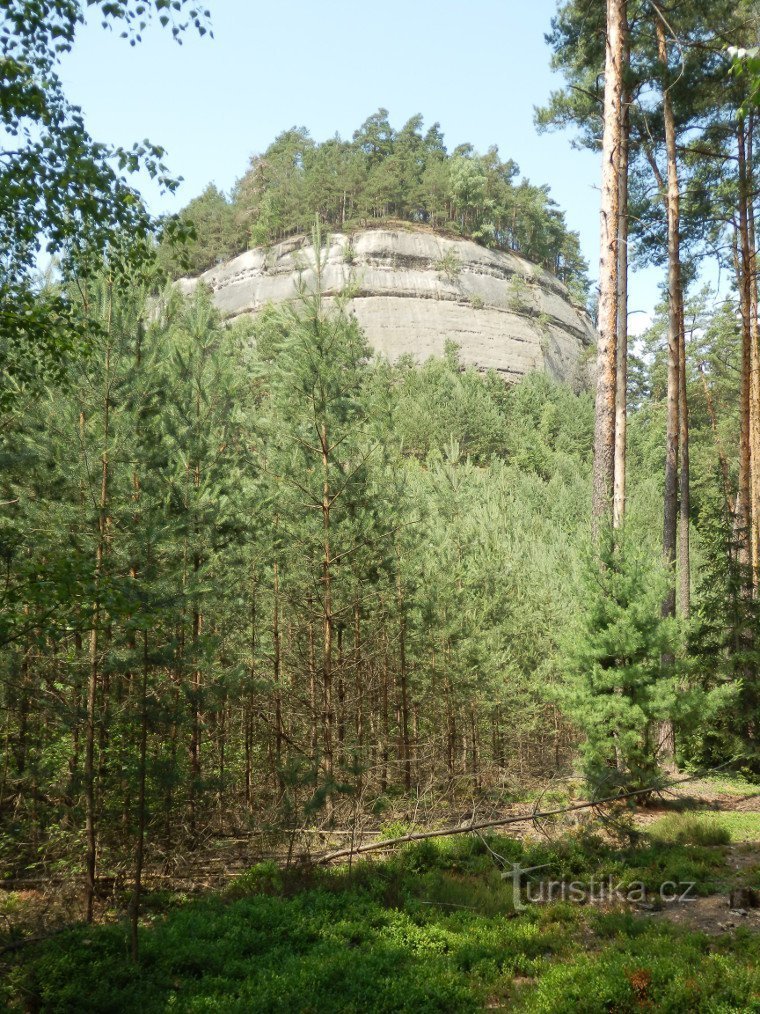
(383,175)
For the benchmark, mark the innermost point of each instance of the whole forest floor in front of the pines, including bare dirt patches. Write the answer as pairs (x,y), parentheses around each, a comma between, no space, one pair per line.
(433,926)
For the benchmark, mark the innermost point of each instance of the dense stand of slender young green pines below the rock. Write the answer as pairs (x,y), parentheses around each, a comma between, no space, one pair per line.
(455,506)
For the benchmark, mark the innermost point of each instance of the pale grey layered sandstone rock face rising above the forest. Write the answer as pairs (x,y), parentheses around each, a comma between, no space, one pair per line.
(413,292)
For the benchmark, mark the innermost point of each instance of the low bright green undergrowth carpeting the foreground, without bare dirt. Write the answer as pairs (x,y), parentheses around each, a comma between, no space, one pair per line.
(432,929)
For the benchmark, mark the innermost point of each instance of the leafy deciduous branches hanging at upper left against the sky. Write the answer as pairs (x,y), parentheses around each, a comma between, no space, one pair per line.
(58,186)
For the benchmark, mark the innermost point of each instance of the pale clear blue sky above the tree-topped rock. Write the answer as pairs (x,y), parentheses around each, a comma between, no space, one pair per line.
(479,68)
